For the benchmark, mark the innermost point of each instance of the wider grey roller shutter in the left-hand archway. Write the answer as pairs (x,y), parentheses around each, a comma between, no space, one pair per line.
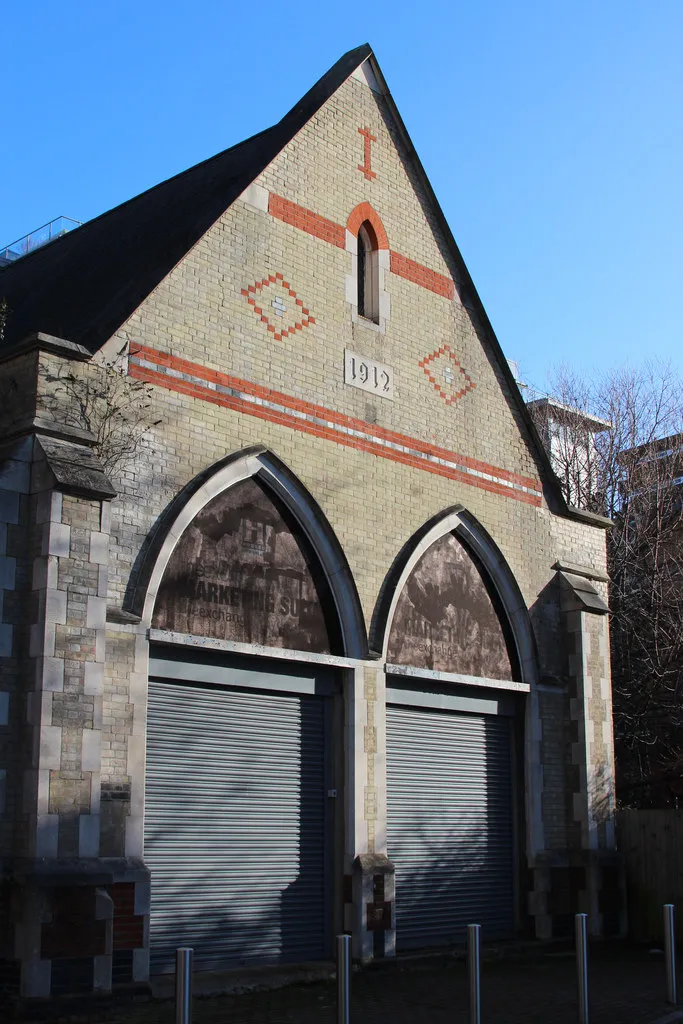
(235,830)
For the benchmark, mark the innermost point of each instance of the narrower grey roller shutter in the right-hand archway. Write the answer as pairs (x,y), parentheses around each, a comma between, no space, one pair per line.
(450,825)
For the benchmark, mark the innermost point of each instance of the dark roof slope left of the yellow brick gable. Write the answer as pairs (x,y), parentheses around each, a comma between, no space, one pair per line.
(86,285)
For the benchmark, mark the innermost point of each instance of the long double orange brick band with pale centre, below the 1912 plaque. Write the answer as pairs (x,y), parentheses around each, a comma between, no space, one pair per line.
(244,397)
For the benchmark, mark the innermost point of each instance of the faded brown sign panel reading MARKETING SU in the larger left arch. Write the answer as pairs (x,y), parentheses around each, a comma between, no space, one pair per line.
(240,573)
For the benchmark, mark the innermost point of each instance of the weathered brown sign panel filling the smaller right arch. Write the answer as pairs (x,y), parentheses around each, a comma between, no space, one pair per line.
(446,619)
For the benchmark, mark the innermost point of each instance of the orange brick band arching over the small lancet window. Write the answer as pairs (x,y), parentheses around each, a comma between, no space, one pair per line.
(314,224)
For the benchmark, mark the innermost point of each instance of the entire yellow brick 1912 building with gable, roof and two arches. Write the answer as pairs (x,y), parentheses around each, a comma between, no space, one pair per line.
(328,651)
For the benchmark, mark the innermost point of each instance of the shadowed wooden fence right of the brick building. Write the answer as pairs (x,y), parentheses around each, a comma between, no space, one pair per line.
(651,844)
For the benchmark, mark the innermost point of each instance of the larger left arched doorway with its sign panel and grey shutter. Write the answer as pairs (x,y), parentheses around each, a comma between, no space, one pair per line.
(243,763)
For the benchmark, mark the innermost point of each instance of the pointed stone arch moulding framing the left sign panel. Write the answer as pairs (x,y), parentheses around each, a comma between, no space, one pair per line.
(288,501)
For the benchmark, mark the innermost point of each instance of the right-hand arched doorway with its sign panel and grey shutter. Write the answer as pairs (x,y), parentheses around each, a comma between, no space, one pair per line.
(455,714)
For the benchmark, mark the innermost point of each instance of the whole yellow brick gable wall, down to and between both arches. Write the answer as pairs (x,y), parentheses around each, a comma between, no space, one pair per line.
(199,313)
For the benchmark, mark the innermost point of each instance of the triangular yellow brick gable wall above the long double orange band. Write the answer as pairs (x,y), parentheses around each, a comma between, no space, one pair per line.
(199,311)
